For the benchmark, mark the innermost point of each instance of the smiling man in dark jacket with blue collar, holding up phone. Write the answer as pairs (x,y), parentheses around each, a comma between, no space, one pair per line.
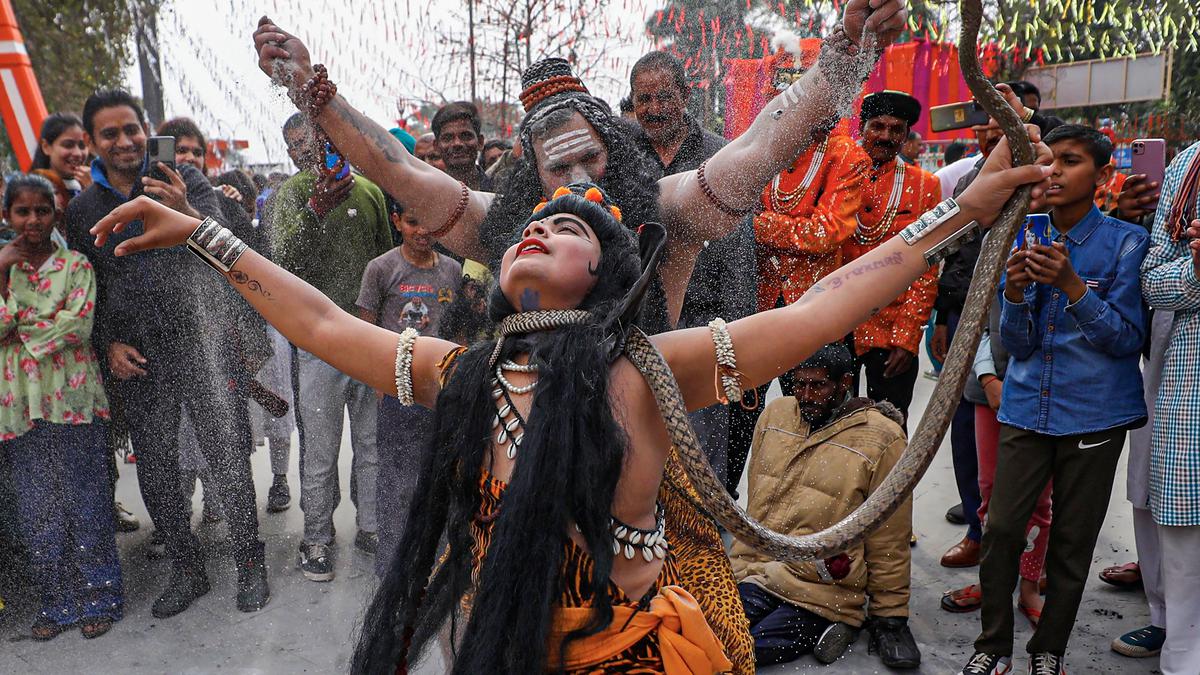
(158,326)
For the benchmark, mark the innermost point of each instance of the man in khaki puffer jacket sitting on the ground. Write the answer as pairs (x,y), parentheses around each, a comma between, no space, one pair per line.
(815,458)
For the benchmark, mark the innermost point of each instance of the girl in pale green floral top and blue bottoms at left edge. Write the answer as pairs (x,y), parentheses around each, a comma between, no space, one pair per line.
(52,420)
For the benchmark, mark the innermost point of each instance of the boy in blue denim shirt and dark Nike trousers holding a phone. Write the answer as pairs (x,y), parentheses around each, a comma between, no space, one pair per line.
(1075,322)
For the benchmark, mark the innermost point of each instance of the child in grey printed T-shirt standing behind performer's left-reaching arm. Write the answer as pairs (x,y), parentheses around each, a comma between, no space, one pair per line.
(407,288)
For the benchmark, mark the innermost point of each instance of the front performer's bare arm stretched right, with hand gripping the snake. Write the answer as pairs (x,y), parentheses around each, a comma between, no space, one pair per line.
(772,343)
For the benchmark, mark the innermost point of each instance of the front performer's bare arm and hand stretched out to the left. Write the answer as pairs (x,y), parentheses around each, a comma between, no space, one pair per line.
(305,316)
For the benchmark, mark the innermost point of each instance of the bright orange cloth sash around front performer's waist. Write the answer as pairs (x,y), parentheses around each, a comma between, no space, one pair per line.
(686,640)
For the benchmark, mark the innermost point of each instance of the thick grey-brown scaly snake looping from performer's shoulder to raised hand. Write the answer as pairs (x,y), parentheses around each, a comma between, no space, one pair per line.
(925,443)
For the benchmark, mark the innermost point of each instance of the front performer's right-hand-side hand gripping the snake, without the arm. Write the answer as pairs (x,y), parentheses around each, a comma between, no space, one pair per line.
(999,180)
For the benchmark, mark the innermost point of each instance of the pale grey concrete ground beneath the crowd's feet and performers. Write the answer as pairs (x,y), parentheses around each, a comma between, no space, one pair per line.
(310,628)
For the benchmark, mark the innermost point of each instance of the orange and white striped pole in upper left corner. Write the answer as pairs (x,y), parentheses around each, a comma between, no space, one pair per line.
(22,105)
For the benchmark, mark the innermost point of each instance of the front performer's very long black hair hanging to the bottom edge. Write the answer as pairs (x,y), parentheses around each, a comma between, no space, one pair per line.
(569,463)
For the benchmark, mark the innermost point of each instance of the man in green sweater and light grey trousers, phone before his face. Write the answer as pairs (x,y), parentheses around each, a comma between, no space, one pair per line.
(326,231)
